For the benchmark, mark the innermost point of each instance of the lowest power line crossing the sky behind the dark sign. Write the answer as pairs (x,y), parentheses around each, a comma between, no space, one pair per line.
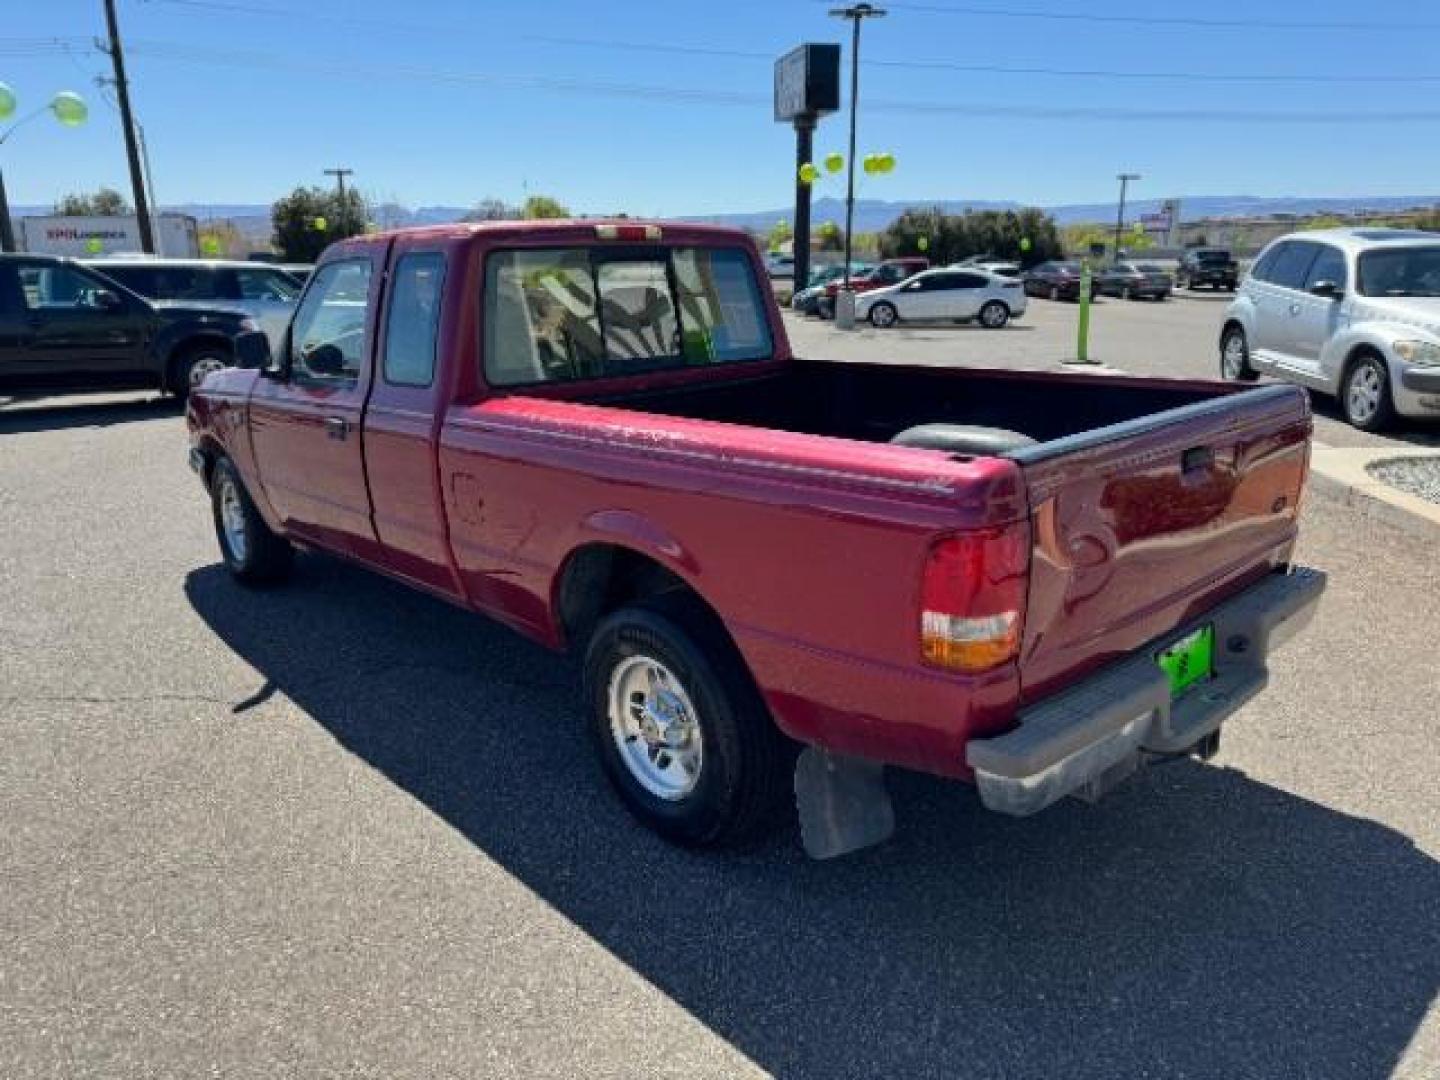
(184,54)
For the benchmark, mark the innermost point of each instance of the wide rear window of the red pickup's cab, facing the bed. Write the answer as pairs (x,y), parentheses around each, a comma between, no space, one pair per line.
(580,313)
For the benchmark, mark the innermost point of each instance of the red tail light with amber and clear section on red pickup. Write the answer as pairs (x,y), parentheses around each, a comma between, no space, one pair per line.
(973,598)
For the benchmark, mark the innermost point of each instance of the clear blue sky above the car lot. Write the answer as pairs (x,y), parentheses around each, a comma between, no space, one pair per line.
(450,102)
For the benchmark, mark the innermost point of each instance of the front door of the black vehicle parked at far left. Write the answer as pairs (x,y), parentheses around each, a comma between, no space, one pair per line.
(80,326)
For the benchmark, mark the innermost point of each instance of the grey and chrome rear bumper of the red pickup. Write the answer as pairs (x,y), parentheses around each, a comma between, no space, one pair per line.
(1085,739)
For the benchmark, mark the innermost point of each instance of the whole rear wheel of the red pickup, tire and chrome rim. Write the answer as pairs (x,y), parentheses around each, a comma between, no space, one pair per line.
(680,729)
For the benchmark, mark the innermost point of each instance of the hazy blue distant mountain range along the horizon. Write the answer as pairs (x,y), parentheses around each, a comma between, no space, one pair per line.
(873,215)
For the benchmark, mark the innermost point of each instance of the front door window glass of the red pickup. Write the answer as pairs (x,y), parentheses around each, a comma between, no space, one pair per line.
(328,338)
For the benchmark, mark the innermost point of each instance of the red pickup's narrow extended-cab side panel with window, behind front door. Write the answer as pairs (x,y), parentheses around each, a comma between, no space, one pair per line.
(402,418)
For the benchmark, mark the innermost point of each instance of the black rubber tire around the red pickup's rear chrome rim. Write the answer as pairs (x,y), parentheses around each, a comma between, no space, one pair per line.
(747,767)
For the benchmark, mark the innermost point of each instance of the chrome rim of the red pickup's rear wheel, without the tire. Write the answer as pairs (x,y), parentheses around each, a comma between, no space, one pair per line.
(656,728)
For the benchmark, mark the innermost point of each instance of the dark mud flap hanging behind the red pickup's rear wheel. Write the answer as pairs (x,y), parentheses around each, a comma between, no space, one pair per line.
(843,804)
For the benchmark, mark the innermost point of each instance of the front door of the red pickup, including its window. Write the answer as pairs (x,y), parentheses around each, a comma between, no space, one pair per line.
(306,421)
